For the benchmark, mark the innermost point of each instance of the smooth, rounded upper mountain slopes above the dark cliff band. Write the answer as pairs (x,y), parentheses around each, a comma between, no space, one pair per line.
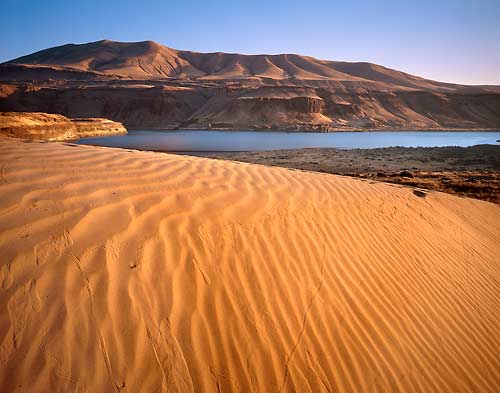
(148,60)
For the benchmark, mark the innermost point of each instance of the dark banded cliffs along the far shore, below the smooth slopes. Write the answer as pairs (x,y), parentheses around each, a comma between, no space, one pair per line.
(146,107)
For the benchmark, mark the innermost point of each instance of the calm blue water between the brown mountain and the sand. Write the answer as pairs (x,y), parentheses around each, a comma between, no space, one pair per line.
(266,140)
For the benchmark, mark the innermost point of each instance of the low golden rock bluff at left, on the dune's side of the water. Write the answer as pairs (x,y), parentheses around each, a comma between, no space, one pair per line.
(45,126)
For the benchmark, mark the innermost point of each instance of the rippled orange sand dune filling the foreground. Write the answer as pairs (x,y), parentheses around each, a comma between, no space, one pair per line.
(135,271)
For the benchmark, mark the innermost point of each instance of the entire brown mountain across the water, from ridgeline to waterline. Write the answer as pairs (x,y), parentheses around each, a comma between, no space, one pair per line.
(145,84)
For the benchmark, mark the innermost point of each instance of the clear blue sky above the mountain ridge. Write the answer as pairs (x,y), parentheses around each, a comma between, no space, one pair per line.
(446,40)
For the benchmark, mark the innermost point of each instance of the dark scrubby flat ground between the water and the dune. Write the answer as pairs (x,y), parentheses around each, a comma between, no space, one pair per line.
(466,171)
